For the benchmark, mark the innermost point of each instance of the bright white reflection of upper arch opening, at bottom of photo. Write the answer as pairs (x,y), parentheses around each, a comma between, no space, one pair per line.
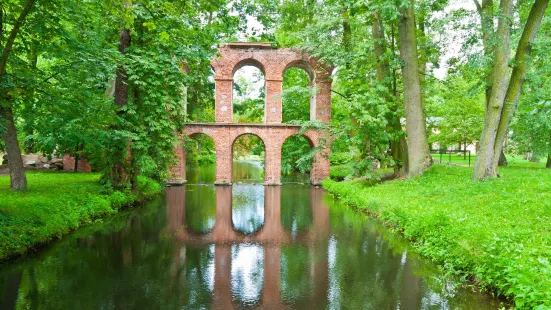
(247,274)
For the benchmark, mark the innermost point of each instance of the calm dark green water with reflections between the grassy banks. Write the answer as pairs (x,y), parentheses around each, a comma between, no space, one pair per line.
(243,246)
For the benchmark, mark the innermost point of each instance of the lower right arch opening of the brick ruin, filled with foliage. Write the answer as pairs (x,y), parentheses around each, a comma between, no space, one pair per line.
(297,158)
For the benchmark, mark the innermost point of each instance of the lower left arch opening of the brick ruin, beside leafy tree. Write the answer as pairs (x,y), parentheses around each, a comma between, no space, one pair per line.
(200,159)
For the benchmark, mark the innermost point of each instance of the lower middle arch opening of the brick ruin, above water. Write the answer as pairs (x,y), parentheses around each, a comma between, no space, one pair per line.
(248,159)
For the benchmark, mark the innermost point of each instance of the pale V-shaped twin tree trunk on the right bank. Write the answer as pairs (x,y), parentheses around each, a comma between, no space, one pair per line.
(505,93)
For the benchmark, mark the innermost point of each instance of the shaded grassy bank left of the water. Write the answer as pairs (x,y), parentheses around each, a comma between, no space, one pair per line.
(54,205)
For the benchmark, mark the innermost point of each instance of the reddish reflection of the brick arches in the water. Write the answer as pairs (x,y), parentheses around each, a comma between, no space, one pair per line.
(271,237)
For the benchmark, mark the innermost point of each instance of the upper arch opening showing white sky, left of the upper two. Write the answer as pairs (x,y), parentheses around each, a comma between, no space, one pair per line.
(249,93)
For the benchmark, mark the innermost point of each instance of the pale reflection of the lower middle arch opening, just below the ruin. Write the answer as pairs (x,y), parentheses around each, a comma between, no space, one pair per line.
(247,207)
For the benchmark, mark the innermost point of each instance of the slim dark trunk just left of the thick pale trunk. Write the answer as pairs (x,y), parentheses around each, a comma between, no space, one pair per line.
(398,146)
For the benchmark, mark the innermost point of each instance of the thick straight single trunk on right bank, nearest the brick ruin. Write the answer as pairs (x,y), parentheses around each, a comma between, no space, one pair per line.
(416,127)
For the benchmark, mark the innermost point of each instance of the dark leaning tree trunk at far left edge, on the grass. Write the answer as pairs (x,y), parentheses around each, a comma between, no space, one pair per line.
(18,179)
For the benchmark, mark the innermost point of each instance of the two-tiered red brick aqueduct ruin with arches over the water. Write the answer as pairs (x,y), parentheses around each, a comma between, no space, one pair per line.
(273,133)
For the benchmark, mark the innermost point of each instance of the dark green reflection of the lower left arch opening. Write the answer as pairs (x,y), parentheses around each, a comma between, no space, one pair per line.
(200,208)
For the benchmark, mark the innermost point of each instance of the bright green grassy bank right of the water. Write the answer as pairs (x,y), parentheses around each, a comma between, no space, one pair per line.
(497,232)
